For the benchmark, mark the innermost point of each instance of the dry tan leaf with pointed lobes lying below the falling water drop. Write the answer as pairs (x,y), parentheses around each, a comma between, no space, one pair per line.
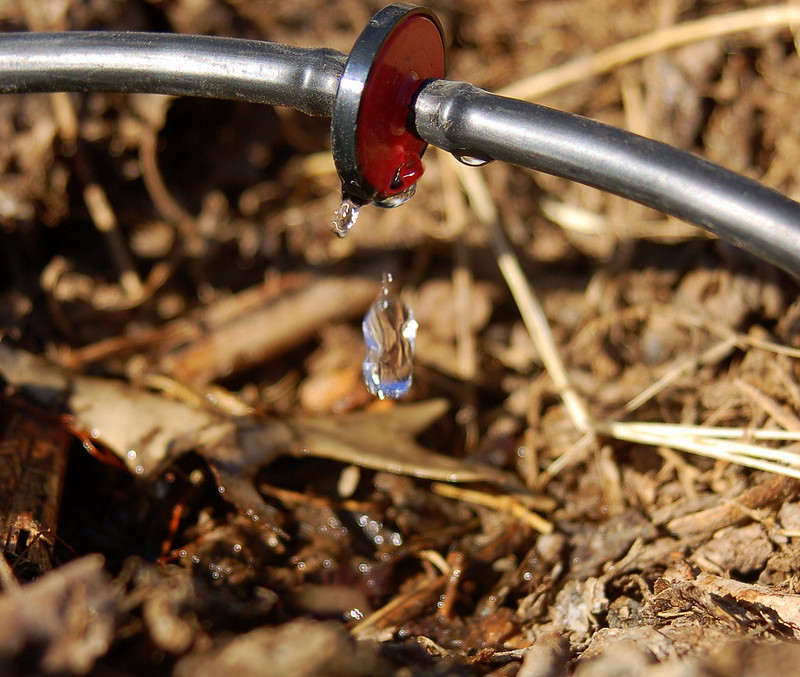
(147,430)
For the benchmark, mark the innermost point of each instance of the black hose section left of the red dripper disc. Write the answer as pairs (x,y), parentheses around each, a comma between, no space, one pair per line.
(164,63)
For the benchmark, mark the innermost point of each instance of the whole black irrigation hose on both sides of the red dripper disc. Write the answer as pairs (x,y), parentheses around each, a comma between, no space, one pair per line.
(452,115)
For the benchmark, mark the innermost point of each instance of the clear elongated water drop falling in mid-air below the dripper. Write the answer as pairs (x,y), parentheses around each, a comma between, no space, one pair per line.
(389,331)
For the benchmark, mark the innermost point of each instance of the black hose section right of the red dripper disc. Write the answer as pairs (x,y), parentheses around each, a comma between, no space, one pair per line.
(466,120)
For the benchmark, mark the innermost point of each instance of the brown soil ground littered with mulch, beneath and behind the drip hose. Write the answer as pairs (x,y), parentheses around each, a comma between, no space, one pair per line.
(197,480)
